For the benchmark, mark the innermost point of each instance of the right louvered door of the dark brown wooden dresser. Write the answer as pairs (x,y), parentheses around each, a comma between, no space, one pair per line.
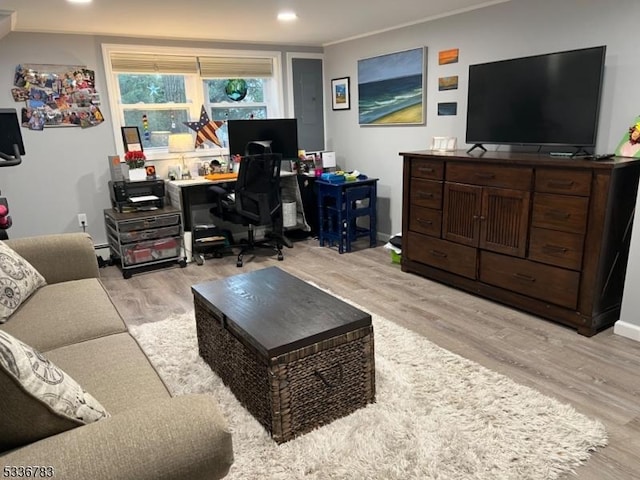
(504,221)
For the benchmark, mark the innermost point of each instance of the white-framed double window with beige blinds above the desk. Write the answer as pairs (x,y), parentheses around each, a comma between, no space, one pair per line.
(158,89)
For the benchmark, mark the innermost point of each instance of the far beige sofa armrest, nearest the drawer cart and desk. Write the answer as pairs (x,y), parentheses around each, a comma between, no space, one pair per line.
(60,257)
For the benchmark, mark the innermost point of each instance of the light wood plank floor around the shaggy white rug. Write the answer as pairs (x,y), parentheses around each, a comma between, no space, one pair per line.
(599,376)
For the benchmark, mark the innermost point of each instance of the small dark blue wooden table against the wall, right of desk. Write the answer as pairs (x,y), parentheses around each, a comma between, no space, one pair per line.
(339,207)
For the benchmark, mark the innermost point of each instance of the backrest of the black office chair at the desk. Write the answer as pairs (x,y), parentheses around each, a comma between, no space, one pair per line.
(257,191)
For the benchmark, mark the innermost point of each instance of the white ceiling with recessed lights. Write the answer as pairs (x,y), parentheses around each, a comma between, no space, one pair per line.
(319,22)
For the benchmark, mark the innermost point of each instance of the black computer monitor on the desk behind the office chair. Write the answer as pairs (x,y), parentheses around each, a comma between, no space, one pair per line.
(282,132)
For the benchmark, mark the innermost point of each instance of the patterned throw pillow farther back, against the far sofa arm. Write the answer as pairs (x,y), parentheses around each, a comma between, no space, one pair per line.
(18,280)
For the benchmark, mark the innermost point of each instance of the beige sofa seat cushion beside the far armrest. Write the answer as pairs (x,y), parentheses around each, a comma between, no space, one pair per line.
(68,312)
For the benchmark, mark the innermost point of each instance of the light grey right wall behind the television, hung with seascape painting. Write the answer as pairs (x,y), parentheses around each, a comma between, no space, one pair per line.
(507,30)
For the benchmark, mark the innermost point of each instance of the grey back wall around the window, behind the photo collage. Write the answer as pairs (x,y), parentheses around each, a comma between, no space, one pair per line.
(65,170)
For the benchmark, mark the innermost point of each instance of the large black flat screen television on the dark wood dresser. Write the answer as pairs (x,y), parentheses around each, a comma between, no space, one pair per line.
(544,100)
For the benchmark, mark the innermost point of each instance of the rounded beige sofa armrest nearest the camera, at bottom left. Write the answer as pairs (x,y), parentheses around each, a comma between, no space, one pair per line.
(173,439)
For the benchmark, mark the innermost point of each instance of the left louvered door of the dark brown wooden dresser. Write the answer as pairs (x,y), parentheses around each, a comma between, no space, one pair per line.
(461,213)
